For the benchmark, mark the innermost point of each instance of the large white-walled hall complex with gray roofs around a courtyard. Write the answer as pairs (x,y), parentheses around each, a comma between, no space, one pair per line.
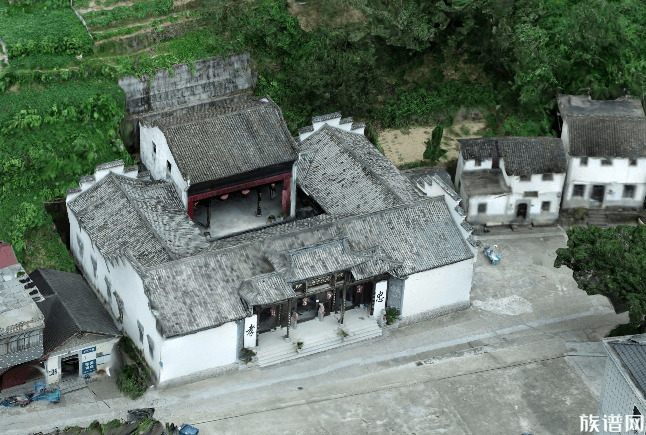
(382,241)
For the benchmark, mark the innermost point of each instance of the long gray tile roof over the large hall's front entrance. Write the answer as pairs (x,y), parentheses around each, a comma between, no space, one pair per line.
(202,292)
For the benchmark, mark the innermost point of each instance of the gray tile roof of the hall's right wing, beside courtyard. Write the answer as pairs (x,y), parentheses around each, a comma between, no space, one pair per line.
(345,174)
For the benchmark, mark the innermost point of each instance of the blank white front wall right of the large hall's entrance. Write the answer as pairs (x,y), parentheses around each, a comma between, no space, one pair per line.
(437,288)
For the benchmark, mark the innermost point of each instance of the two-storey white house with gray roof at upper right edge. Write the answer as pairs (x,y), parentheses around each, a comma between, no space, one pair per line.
(606,146)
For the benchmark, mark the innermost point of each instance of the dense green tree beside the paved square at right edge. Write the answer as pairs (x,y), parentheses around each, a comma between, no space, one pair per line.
(609,261)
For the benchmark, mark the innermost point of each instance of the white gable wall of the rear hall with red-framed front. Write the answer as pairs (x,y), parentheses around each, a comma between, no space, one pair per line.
(156,162)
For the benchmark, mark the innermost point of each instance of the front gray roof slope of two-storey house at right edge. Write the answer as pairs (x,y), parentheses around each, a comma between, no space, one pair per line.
(607,136)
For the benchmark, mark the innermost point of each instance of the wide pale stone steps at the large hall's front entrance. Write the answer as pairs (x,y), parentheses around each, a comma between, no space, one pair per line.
(286,351)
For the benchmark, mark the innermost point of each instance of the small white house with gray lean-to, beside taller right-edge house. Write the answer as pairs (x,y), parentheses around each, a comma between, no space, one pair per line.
(505,180)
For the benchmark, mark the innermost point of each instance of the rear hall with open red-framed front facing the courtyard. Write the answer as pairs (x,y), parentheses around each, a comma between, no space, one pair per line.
(221,155)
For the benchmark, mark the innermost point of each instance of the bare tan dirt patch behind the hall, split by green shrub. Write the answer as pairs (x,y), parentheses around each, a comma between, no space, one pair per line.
(406,146)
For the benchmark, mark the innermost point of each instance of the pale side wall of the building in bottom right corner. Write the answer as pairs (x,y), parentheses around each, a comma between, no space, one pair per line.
(617,396)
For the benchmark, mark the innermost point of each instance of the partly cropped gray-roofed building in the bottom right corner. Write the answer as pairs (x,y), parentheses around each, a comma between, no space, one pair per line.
(624,383)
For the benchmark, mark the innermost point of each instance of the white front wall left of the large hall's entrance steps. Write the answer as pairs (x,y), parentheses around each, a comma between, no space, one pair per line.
(203,350)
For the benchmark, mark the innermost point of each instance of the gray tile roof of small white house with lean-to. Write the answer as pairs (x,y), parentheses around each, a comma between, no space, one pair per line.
(522,155)
